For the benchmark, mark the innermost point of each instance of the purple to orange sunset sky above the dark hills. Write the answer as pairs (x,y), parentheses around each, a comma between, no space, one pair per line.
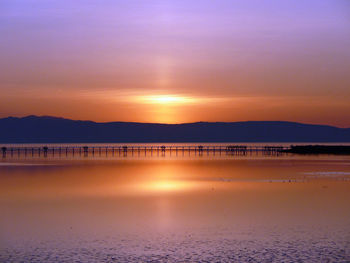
(176,61)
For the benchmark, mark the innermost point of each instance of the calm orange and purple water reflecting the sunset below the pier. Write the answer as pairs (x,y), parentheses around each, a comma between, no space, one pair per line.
(175,209)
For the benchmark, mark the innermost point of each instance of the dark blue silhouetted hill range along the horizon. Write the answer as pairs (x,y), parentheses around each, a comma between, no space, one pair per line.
(33,129)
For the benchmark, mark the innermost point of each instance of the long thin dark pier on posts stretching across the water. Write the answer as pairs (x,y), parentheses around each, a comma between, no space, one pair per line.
(125,150)
